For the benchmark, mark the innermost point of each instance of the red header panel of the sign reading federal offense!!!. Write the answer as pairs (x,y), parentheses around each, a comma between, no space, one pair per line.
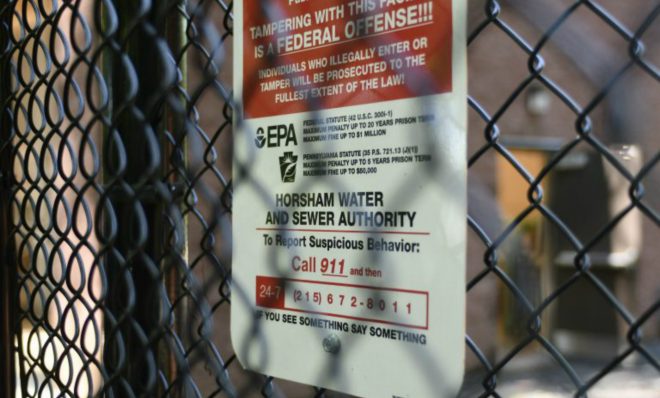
(328,53)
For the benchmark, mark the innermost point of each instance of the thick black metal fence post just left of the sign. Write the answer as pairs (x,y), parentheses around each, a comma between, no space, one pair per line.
(148,309)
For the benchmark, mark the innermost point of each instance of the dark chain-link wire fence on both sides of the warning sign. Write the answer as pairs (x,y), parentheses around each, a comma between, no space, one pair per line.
(115,160)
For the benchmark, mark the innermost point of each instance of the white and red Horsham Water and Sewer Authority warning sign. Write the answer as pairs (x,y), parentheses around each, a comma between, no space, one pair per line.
(349,211)
